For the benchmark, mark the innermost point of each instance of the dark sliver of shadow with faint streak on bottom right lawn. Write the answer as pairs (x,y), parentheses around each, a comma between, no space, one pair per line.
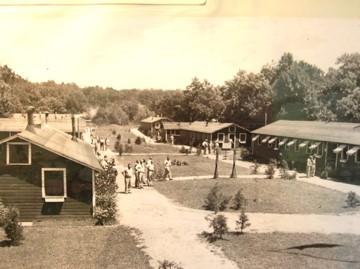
(310,246)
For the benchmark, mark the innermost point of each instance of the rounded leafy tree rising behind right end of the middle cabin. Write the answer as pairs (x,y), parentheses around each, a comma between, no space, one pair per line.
(247,97)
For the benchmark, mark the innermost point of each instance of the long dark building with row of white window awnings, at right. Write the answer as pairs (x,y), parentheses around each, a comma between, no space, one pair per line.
(336,145)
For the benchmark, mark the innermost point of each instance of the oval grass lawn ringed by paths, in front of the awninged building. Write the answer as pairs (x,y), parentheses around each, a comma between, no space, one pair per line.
(263,195)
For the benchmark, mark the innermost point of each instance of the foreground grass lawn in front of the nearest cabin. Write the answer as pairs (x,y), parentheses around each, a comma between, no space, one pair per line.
(68,244)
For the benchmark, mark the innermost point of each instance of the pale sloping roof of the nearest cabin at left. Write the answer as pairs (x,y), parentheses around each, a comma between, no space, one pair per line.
(61,144)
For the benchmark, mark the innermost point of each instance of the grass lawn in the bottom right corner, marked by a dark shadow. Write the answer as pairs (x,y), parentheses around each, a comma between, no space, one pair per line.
(273,250)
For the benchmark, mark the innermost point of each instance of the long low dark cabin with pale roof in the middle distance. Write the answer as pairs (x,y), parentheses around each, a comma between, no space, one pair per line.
(194,133)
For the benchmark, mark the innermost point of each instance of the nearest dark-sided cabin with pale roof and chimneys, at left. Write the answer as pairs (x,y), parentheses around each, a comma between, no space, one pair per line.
(44,171)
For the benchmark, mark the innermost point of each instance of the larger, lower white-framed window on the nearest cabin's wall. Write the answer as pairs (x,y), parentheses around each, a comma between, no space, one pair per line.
(53,183)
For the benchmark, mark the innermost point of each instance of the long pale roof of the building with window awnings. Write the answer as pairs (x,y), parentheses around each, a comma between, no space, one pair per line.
(335,132)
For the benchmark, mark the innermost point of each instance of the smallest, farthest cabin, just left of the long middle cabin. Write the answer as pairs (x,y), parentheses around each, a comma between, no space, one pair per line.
(153,127)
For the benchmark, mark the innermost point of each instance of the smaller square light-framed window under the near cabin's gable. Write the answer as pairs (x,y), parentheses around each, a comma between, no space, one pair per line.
(18,153)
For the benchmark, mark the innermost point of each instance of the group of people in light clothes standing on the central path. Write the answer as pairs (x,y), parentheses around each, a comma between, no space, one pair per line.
(144,173)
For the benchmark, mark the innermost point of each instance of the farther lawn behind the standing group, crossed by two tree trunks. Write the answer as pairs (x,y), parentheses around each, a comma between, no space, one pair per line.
(197,165)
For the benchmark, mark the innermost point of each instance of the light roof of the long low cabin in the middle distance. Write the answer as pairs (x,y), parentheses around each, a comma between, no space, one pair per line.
(199,126)
